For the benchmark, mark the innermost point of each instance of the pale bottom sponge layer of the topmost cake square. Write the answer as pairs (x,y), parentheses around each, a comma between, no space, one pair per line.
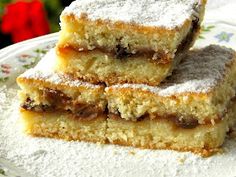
(100,67)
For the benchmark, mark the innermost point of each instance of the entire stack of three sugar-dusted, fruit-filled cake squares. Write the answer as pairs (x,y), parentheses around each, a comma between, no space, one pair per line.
(122,73)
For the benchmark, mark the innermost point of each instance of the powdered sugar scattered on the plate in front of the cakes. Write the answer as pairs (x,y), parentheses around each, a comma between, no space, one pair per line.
(48,157)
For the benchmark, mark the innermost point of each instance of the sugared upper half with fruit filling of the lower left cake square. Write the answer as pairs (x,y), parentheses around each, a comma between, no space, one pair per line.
(45,88)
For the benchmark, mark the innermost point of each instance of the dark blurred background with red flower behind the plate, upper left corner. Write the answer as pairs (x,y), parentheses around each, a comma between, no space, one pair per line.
(26,19)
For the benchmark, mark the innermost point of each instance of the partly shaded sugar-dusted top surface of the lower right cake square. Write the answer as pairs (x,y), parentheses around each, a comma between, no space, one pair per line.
(199,72)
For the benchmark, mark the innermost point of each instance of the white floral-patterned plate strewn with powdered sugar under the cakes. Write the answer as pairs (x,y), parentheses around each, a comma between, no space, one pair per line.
(21,155)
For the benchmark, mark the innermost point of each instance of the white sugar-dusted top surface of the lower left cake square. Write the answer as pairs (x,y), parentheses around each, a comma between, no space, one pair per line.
(44,71)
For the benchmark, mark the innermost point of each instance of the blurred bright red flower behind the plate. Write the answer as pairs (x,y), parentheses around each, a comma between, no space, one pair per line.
(25,20)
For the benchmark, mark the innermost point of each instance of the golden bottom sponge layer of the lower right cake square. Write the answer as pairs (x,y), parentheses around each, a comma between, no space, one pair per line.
(163,134)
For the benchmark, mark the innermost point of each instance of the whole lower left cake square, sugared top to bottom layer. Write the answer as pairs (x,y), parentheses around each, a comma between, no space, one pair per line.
(58,106)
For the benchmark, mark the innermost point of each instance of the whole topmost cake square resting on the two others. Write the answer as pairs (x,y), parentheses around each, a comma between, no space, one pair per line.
(126,41)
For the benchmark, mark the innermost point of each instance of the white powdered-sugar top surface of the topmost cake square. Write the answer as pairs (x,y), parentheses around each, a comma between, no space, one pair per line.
(158,13)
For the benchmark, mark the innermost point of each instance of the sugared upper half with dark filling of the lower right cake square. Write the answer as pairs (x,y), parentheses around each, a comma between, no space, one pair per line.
(198,92)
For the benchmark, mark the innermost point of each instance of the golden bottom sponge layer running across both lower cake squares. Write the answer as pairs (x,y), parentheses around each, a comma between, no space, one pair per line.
(151,134)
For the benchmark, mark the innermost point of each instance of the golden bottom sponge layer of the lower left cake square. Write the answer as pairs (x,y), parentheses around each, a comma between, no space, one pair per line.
(64,126)
